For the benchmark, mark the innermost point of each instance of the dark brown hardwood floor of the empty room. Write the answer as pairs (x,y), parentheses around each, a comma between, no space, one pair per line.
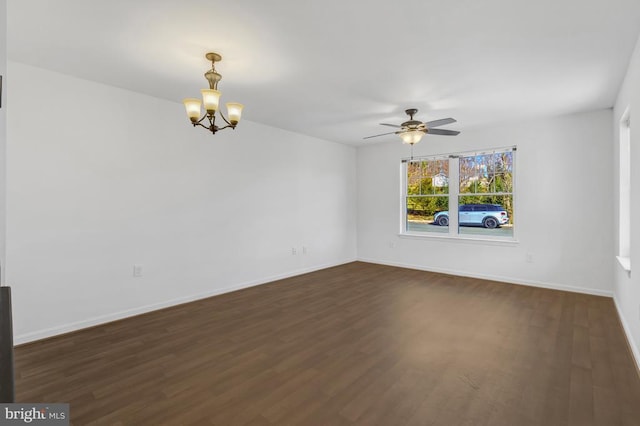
(356,344)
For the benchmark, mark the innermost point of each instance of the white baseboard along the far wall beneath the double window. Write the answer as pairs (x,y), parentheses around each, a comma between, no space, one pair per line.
(509,280)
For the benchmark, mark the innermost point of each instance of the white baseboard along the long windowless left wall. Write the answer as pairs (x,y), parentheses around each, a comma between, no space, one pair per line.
(103,319)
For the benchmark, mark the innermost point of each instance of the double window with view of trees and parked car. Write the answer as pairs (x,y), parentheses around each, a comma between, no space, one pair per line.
(480,203)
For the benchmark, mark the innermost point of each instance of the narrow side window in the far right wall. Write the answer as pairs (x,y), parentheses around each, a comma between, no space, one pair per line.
(624,198)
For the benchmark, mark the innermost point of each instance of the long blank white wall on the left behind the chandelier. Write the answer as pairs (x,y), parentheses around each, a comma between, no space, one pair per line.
(100,179)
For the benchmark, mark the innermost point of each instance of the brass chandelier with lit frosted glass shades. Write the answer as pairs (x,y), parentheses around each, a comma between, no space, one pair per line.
(211,99)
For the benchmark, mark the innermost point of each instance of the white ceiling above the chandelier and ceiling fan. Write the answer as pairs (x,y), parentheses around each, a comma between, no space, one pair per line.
(334,69)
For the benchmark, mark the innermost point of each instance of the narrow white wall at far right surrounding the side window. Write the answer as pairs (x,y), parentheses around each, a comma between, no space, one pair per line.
(627,286)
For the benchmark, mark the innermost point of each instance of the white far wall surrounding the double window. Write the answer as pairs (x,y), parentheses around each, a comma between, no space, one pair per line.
(562,165)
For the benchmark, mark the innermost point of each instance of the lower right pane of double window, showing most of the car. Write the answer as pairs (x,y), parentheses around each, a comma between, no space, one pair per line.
(490,215)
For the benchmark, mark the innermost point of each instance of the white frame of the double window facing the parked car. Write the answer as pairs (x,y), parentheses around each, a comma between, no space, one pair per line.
(454,194)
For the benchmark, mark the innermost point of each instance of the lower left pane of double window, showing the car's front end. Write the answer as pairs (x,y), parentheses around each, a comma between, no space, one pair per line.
(428,214)
